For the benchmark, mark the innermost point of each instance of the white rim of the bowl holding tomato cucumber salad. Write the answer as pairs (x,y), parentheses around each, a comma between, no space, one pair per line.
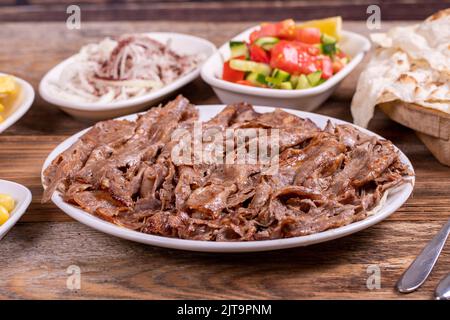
(209,70)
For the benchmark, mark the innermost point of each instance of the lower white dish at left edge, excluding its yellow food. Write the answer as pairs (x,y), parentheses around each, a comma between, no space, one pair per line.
(22,197)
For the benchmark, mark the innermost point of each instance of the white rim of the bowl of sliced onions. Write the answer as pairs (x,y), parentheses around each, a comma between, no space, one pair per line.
(95,106)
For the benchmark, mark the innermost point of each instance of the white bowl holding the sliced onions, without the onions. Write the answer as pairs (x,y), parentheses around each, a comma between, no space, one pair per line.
(180,43)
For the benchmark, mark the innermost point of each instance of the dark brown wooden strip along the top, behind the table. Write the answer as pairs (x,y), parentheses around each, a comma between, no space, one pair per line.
(215,10)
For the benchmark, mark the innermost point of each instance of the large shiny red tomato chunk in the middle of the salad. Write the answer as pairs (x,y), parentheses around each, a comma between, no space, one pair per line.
(294,57)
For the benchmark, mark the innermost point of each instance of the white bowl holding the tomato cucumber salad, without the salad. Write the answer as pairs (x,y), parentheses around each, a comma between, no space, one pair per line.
(307,99)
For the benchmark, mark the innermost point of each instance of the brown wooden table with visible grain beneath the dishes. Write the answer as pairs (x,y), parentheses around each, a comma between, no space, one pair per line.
(35,255)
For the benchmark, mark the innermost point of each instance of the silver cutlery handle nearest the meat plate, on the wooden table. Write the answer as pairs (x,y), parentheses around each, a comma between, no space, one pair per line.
(421,267)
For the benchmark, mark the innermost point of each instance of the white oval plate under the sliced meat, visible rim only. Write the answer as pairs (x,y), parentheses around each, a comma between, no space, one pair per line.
(393,202)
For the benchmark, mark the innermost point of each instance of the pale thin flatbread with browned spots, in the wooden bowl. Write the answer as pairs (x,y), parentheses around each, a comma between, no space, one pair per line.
(411,64)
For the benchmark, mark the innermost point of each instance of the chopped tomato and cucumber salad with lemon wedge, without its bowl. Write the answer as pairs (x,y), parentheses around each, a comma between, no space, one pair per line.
(286,55)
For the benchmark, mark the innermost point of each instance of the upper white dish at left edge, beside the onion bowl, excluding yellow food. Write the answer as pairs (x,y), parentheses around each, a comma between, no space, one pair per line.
(20,106)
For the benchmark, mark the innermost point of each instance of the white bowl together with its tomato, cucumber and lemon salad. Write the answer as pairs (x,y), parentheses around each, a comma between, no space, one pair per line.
(285,63)
